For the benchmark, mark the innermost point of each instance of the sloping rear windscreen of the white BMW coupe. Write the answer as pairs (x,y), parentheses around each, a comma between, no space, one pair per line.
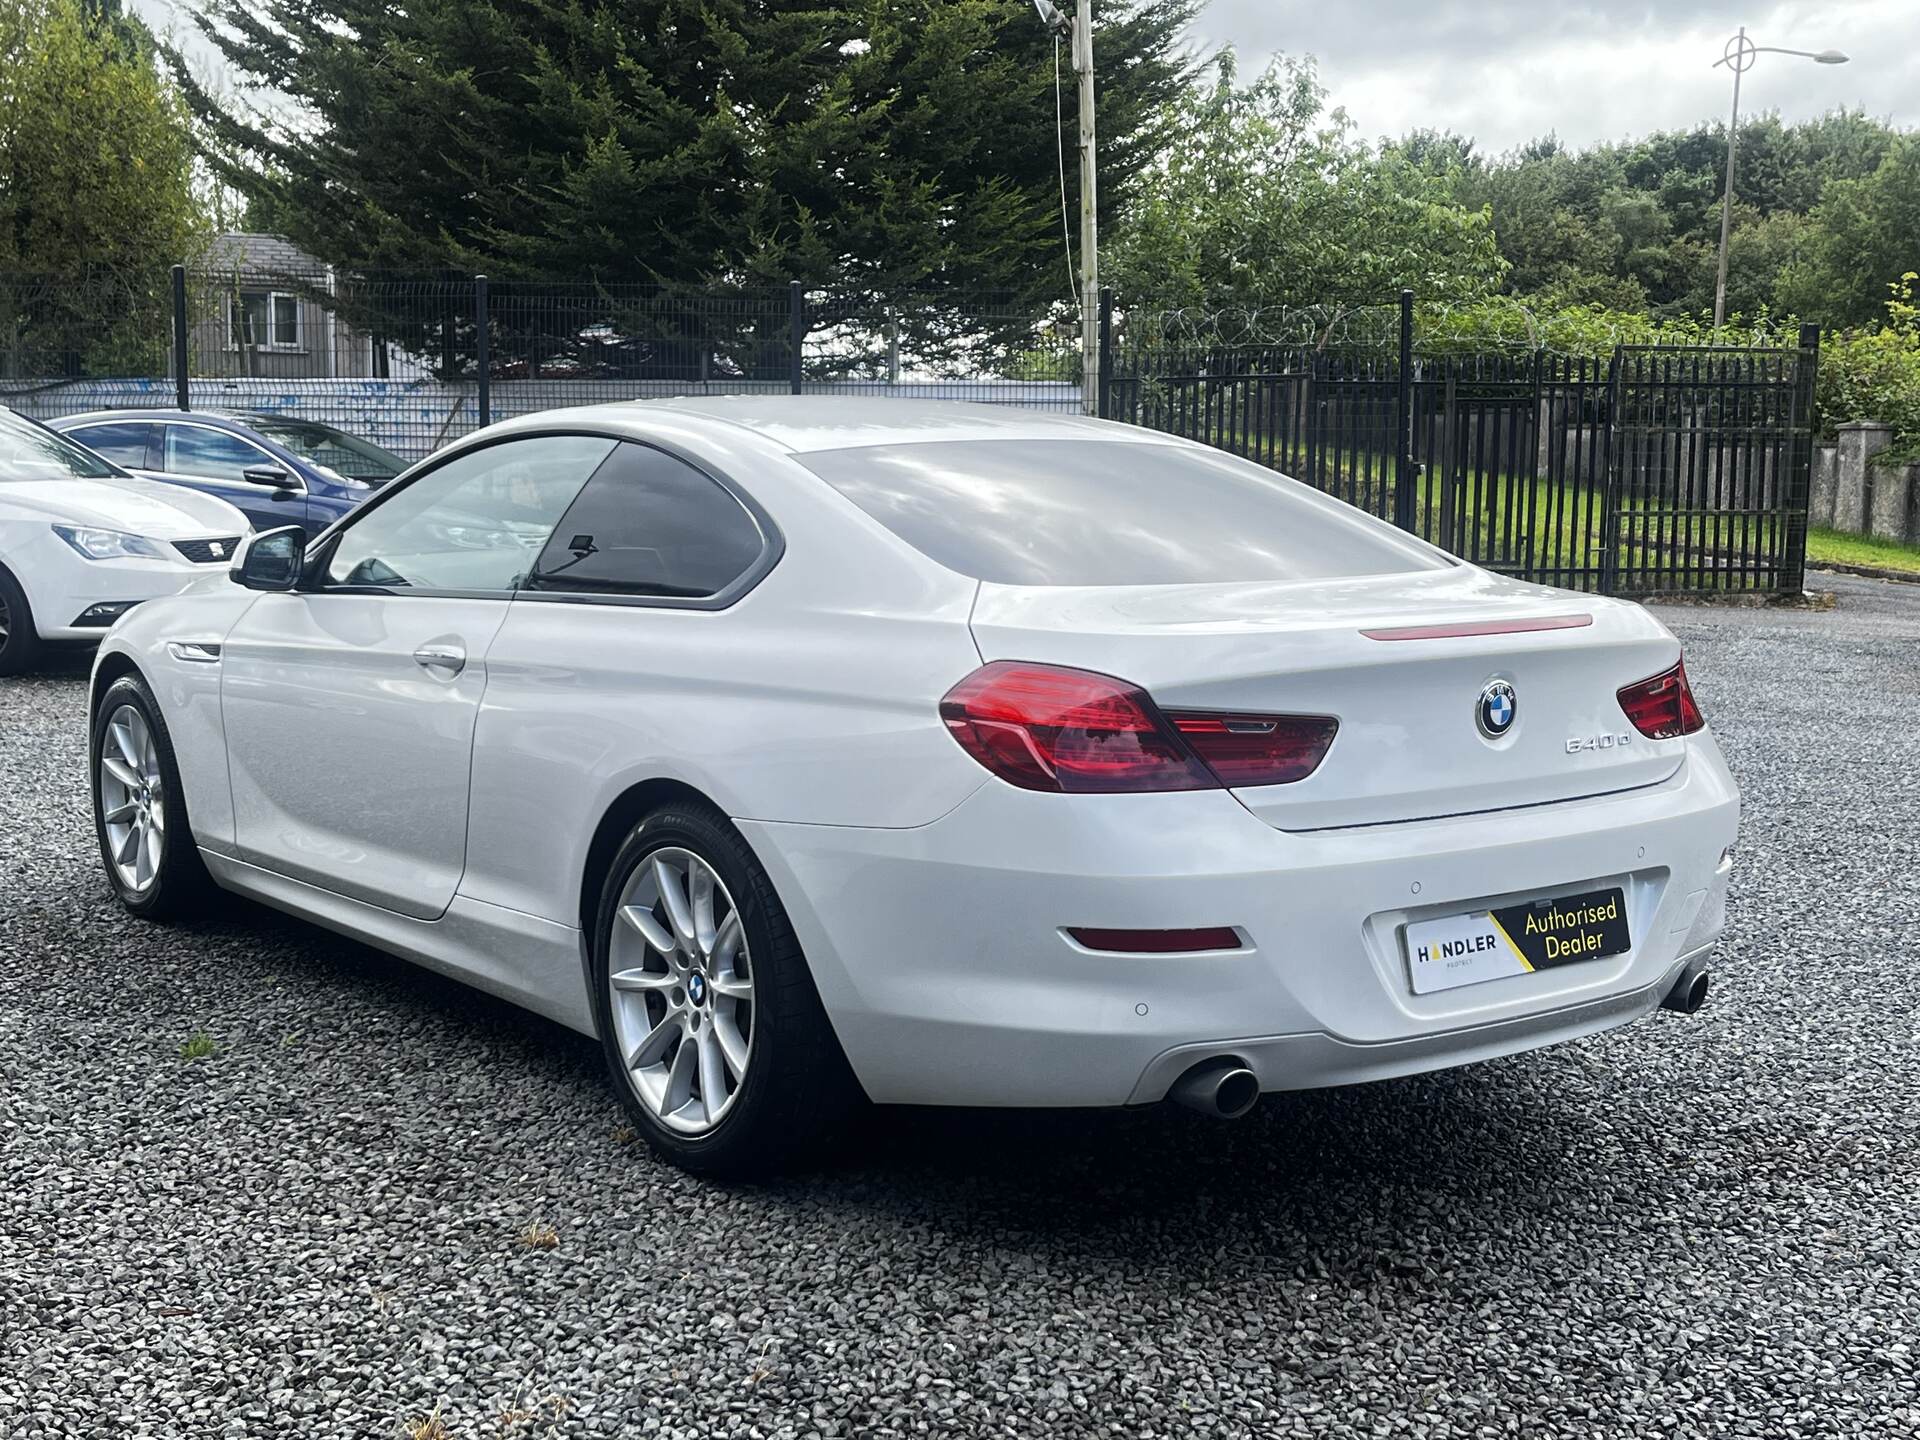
(1105,514)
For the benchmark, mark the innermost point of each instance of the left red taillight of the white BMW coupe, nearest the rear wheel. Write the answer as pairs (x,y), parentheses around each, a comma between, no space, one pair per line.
(1044,727)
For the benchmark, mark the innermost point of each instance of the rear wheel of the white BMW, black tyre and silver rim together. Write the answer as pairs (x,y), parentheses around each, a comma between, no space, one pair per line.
(709,1017)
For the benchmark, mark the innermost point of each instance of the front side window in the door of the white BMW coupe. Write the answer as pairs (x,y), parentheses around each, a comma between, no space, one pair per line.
(475,523)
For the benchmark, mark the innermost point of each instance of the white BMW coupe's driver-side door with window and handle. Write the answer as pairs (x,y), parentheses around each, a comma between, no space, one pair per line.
(350,704)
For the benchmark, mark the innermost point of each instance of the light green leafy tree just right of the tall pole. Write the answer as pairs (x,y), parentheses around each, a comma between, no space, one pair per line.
(1262,197)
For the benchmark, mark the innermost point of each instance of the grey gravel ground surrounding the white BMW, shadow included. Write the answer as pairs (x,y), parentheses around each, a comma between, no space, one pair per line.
(1691,1228)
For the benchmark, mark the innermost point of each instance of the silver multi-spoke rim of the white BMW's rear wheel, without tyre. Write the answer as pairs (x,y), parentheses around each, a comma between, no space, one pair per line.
(681,982)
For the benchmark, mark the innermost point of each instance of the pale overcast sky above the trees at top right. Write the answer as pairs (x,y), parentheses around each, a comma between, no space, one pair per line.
(1591,70)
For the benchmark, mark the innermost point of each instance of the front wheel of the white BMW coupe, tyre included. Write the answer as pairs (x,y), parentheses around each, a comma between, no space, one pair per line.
(141,811)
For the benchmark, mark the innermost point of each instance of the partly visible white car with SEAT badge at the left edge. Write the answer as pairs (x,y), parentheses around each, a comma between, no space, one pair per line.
(84,542)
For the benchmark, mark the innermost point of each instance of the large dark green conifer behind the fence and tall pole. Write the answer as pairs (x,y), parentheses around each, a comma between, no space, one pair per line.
(878,145)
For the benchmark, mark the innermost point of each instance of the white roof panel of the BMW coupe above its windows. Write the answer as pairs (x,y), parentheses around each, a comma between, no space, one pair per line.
(813,423)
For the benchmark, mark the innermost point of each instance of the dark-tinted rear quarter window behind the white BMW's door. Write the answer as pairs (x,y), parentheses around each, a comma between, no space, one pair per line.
(650,525)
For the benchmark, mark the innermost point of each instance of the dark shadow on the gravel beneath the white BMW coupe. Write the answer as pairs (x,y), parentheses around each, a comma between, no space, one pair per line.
(1330,1174)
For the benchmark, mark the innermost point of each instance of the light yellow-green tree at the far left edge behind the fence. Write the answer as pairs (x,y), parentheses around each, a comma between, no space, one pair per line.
(95,189)
